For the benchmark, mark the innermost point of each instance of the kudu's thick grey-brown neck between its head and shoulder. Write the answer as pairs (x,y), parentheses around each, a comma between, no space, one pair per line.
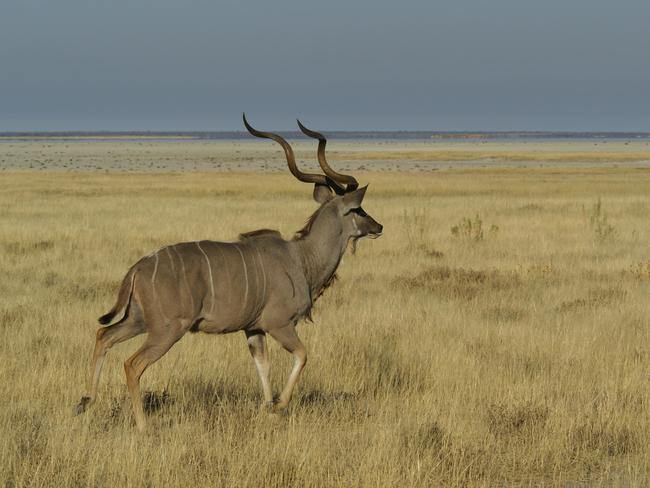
(322,248)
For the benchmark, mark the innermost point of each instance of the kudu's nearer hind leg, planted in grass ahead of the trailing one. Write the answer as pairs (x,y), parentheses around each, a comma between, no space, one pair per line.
(154,347)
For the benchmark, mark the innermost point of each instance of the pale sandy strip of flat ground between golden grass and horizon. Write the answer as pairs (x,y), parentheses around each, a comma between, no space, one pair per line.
(244,156)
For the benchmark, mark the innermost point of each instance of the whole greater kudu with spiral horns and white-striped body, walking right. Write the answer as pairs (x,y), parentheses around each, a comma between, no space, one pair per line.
(260,284)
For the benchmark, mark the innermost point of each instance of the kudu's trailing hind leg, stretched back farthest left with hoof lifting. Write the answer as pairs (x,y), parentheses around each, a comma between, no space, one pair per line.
(106,338)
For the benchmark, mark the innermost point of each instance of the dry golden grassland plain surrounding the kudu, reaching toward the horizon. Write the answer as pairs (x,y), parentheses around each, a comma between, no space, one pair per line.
(497,334)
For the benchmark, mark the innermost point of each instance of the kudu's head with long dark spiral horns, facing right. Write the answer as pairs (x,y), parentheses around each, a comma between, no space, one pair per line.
(339,195)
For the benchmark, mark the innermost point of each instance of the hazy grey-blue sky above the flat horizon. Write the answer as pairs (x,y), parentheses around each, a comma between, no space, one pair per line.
(364,65)
